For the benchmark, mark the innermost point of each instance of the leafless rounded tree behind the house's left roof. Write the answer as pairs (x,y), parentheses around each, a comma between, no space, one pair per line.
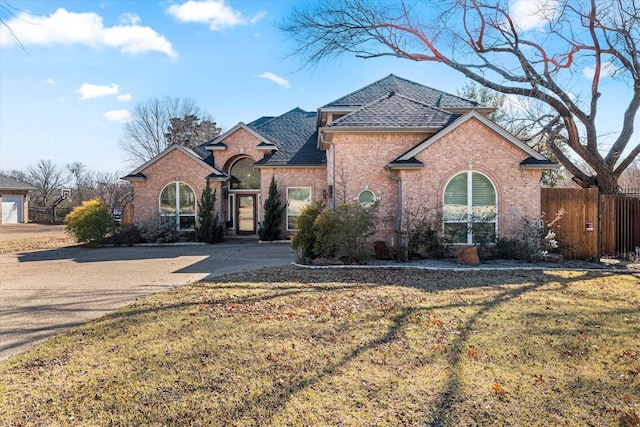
(145,135)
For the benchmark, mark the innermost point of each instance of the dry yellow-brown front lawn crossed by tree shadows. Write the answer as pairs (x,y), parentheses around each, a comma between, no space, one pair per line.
(287,346)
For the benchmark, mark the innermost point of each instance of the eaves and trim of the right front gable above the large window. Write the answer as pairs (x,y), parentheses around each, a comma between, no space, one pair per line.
(534,158)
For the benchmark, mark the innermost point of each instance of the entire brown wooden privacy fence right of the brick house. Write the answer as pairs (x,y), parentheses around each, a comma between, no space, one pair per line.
(594,224)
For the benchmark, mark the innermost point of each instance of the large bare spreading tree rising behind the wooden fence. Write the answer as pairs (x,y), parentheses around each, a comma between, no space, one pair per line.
(538,57)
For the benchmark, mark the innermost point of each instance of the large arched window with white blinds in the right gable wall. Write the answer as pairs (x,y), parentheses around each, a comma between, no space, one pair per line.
(470,209)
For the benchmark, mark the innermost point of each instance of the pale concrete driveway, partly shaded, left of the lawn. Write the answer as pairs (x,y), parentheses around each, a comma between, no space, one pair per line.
(43,293)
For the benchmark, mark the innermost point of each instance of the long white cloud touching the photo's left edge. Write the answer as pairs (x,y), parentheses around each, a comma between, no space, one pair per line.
(87,29)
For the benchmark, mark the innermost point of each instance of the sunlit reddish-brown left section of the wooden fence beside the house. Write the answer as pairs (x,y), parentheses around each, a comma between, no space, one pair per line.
(581,207)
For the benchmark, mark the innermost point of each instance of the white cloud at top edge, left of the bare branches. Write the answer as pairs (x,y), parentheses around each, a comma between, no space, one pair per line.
(215,13)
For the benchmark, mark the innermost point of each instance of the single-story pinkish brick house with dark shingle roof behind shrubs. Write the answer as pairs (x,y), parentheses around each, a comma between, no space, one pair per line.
(405,145)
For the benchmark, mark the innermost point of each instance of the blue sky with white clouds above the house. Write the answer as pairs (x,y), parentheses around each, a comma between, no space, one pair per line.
(82,66)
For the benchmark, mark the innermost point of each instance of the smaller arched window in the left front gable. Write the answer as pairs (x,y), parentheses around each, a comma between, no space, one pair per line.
(178,205)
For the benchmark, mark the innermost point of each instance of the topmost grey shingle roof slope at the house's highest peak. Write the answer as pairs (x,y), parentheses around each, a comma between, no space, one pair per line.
(412,90)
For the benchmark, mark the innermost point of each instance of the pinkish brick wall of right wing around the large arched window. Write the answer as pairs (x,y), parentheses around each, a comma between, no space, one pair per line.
(471,146)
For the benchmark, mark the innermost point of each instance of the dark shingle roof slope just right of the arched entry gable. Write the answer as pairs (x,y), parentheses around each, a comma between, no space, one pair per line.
(295,135)
